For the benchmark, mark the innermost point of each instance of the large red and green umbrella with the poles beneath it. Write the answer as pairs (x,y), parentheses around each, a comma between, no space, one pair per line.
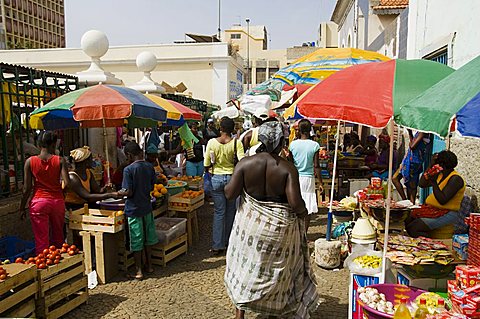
(370,94)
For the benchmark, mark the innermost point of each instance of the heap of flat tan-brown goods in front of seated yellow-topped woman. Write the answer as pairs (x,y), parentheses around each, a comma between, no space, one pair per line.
(412,251)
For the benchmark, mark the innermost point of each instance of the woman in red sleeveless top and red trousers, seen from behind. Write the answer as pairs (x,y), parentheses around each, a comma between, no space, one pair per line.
(47,206)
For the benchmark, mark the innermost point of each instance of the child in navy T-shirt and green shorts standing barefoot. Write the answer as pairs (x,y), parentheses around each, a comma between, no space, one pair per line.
(138,182)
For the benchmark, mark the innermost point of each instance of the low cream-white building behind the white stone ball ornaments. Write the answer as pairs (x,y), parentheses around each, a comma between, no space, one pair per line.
(210,71)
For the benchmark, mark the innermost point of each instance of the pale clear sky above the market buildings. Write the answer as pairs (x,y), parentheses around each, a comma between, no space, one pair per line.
(127,22)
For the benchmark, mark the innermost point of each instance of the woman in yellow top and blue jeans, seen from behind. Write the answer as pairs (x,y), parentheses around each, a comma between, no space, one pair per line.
(220,157)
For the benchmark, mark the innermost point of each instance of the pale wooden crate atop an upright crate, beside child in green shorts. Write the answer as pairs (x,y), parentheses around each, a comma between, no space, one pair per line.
(96,220)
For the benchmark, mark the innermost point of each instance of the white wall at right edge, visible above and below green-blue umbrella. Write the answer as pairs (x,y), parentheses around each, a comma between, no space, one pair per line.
(434,24)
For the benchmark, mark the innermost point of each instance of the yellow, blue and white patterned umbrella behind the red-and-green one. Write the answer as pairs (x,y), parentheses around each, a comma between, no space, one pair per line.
(315,67)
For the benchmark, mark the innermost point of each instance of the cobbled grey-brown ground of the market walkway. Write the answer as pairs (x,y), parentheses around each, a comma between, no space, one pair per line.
(192,287)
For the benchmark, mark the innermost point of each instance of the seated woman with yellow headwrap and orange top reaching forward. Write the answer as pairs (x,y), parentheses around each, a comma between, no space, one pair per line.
(82,187)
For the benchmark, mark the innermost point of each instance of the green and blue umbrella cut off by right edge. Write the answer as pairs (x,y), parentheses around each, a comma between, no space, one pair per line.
(456,97)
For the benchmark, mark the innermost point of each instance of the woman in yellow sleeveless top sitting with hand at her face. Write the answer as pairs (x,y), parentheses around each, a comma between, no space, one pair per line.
(448,190)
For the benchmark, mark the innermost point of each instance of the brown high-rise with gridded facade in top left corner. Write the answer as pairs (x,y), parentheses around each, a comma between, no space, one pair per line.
(32,24)
